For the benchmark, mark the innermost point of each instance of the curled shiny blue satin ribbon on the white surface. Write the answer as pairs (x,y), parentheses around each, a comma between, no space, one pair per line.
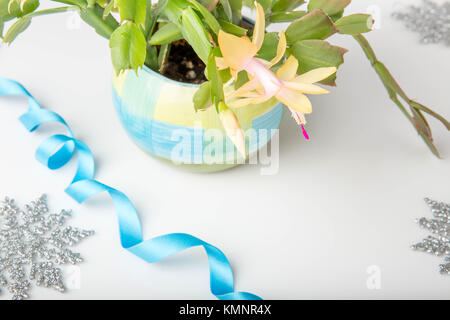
(55,151)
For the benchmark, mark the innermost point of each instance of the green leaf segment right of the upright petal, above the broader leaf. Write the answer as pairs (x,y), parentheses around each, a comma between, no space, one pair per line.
(314,25)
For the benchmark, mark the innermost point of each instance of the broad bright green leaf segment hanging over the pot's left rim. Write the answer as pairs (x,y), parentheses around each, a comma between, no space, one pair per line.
(128,47)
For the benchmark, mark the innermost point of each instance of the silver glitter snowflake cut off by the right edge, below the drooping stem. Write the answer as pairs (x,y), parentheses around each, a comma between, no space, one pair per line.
(437,244)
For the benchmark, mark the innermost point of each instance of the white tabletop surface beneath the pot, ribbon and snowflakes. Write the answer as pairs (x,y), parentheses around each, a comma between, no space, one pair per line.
(341,202)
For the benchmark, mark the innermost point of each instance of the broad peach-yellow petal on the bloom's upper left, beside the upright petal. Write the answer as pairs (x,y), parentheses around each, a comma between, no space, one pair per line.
(236,51)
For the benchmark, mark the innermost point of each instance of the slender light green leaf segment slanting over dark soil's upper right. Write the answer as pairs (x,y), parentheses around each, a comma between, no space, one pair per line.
(194,32)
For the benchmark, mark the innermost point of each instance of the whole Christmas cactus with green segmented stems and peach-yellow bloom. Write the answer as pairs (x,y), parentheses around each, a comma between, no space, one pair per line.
(241,62)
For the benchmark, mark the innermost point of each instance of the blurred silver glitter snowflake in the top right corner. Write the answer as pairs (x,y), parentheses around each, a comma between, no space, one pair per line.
(429,19)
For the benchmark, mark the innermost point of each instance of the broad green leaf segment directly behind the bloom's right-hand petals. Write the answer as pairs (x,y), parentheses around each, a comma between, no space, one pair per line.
(312,54)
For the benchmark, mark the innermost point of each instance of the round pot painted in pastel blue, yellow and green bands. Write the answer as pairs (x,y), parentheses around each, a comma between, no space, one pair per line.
(159,116)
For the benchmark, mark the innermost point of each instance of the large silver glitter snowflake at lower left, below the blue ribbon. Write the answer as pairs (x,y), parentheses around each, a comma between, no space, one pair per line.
(33,244)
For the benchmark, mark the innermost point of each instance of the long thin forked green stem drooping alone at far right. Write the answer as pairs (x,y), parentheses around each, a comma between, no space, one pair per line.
(416,117)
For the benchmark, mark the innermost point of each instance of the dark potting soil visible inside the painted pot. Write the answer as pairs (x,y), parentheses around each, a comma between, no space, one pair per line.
(183,64)
